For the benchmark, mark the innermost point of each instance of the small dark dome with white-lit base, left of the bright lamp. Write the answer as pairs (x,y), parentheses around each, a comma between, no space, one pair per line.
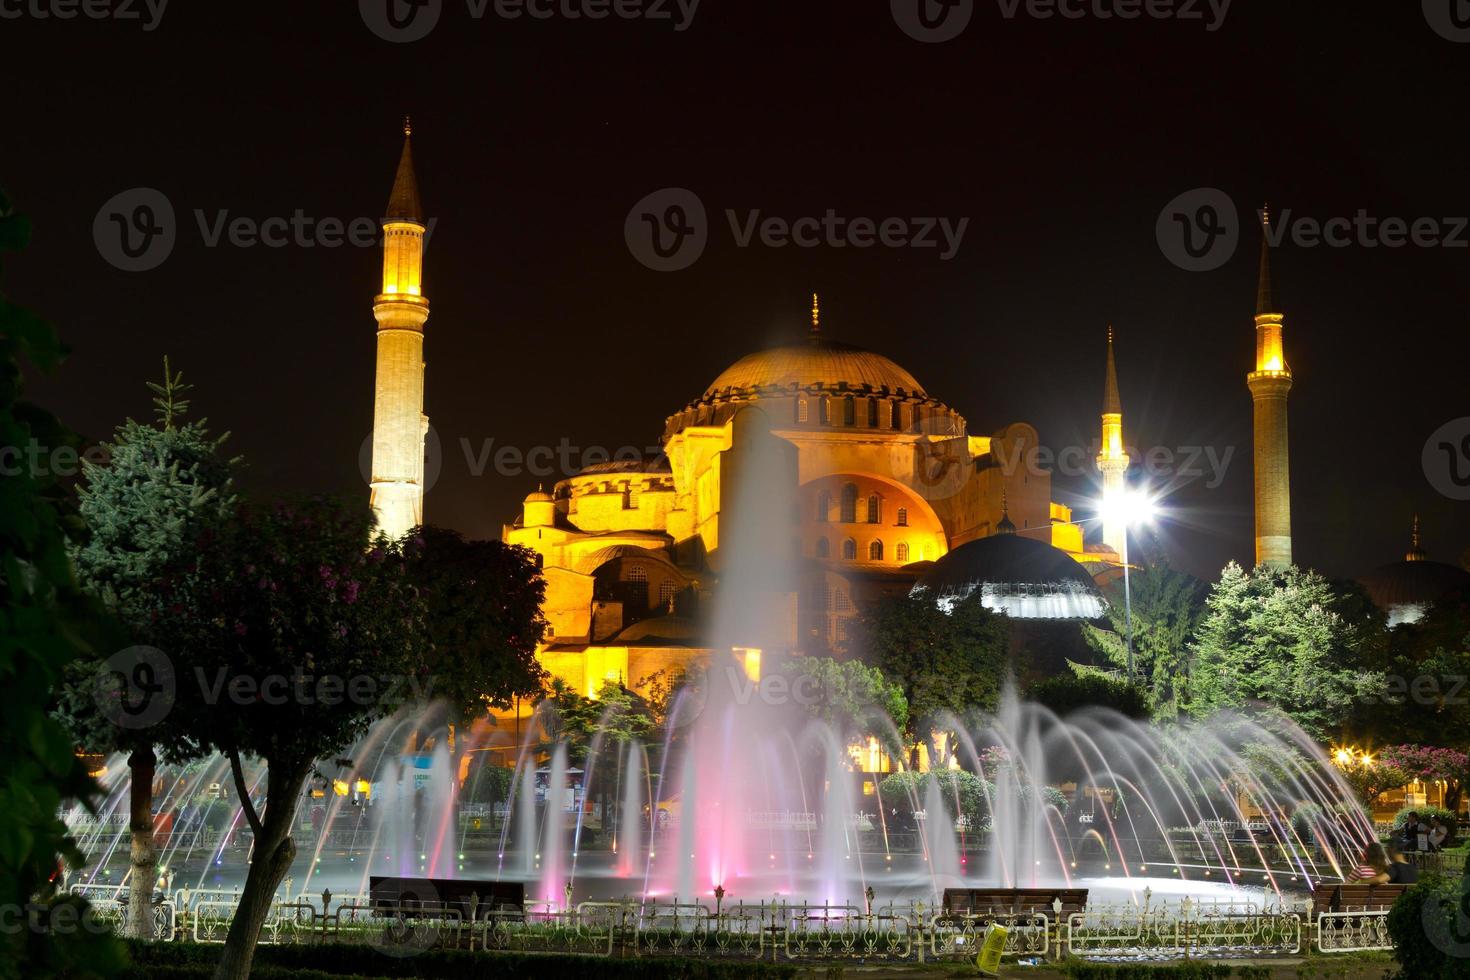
(1015,575)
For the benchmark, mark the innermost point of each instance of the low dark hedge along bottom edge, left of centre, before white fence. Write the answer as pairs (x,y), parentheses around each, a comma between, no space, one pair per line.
(183,960)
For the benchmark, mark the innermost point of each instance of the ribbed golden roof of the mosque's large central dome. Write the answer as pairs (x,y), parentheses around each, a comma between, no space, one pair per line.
(815,364)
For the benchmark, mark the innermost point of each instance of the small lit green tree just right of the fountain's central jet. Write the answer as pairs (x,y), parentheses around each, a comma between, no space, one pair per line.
(849,696)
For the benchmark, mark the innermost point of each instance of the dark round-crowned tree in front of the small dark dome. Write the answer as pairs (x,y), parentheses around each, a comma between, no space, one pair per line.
(946,663)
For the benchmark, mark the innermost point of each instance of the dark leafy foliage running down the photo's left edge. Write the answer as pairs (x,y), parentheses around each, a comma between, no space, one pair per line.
(42,618)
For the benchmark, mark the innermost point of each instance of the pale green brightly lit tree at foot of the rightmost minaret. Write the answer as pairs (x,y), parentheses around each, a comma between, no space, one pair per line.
(1275,638)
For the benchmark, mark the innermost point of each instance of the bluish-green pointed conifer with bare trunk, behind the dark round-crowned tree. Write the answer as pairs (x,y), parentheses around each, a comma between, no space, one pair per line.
(161,489)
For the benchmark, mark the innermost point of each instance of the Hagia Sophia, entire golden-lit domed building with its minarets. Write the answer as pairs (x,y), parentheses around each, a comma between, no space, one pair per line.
(893,490)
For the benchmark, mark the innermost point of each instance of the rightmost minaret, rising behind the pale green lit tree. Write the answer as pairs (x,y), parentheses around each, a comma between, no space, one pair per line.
(1269,384)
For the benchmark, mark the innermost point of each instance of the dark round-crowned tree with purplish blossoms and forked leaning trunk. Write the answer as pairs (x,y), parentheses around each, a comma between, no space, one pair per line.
(301,631)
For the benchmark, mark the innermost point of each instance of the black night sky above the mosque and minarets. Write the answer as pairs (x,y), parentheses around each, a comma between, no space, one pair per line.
(1059,140)
